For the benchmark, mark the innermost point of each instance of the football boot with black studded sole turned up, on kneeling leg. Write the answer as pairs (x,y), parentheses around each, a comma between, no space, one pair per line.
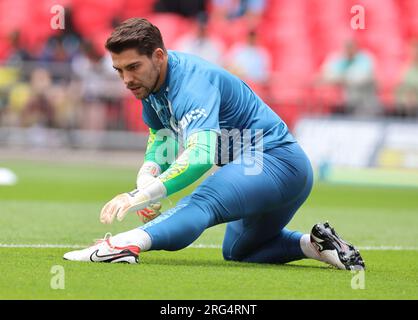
(334,250)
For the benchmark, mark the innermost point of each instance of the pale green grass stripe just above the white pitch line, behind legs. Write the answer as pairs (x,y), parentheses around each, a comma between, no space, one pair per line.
(34,222)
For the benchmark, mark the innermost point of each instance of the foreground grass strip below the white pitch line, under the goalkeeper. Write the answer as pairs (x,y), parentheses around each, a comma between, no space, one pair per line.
(203,274)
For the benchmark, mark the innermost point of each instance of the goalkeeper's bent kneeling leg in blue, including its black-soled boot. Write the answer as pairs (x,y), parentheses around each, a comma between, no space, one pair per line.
(256,238)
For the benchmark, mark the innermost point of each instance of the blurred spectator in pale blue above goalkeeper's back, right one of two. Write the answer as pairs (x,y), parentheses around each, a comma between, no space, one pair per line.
(249,61)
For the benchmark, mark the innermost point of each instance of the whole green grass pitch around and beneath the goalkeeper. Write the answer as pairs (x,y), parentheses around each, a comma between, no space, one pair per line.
(59,204)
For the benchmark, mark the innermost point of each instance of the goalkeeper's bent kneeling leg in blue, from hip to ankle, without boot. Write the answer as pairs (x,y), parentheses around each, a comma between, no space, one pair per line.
(263,238)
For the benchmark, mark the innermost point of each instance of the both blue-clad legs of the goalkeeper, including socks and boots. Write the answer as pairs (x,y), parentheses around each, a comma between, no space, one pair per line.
(260,206)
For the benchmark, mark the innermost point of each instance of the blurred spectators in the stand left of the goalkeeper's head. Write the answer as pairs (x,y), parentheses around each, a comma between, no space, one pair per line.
(69,85)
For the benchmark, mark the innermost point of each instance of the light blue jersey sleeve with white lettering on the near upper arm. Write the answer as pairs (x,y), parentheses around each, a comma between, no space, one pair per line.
(197,108)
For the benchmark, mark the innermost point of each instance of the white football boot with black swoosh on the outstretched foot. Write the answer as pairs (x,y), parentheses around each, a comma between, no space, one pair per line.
(104,251)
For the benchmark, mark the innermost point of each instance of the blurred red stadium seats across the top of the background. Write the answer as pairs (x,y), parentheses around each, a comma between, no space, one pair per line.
(299,34)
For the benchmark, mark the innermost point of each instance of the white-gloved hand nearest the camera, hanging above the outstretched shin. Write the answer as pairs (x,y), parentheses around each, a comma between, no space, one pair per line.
(123,203)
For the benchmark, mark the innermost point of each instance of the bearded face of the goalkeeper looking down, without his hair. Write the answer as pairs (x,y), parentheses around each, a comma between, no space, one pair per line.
(139,73)
